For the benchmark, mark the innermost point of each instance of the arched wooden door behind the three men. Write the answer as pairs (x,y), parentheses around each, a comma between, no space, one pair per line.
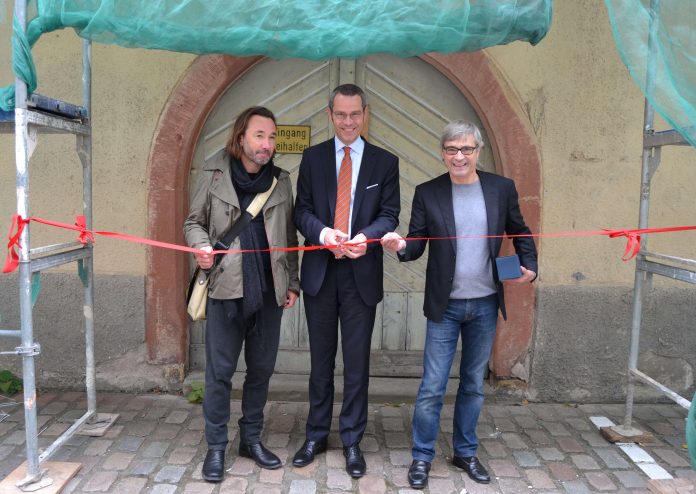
(410,102)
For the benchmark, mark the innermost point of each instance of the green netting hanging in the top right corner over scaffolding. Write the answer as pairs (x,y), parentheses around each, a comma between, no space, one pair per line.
(673,62)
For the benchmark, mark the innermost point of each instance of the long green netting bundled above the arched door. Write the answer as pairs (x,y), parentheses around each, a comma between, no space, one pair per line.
(311,29)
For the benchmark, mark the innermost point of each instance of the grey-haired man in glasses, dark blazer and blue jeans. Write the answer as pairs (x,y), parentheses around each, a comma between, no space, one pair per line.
(463,291)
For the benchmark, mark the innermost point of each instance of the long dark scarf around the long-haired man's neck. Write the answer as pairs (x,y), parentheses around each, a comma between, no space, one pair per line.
(253,276)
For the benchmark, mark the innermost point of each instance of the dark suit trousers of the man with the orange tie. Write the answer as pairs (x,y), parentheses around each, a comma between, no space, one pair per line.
(338,300)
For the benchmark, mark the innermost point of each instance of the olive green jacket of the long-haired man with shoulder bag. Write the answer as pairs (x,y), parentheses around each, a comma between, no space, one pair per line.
(214,208)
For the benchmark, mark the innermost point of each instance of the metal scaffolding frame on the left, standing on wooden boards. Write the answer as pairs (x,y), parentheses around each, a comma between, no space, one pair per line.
(34,115)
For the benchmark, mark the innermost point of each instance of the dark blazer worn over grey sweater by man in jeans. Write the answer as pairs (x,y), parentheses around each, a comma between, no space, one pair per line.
(432,215)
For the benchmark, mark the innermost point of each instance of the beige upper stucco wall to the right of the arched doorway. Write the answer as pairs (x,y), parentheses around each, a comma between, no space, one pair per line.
(588,115)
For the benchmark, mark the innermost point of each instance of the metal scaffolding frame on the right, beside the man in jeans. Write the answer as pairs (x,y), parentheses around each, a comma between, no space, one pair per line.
(650,263)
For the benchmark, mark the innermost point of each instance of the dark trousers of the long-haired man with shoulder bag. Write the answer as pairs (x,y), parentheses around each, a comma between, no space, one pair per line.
(225,333)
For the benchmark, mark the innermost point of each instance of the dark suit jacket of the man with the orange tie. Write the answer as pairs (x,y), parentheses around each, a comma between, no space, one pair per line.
(376,209)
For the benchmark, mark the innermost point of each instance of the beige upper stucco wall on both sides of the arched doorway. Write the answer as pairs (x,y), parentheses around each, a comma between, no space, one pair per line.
(585,110)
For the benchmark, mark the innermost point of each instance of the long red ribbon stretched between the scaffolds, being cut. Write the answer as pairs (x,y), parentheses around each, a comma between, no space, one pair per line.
(86,236)
